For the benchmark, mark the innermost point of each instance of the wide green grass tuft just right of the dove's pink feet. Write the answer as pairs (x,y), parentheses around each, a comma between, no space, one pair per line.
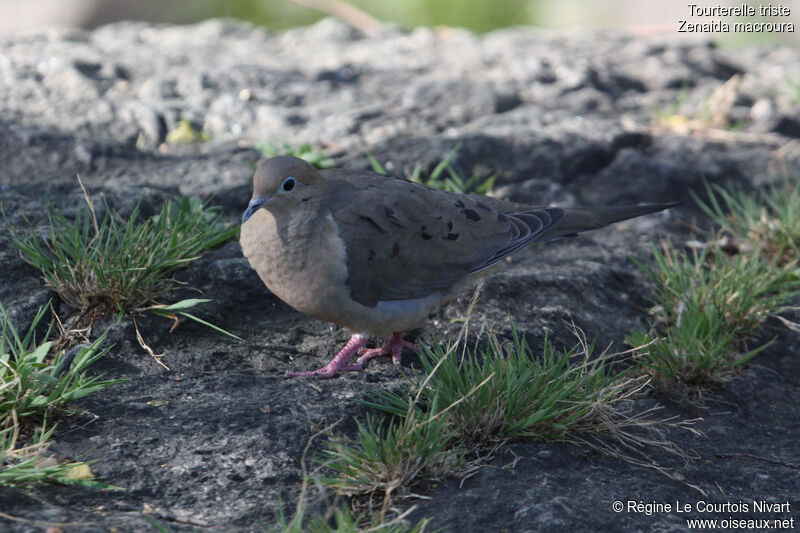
(568,396)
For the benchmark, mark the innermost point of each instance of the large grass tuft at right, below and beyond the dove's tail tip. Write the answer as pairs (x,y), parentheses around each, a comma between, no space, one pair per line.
(707,305)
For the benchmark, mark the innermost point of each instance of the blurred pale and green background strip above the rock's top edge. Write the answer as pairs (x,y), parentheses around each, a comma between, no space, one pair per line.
(653,17)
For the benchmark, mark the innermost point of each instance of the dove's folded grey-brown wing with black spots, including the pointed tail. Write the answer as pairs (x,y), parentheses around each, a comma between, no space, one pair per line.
(405,240)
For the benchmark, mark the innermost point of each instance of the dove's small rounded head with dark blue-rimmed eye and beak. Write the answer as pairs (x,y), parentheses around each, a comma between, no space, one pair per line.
(281,183)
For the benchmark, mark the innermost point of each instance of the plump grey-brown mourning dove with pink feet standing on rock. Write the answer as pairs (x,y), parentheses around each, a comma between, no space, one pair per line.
(377,254)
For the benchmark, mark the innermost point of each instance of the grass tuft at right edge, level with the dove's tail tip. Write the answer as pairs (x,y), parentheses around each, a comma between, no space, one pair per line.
(769,219)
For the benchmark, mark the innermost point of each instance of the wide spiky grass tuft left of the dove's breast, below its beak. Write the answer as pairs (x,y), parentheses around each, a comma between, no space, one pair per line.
(122,266)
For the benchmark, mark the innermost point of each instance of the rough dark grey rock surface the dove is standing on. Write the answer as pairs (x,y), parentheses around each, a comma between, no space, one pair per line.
(563,118)
